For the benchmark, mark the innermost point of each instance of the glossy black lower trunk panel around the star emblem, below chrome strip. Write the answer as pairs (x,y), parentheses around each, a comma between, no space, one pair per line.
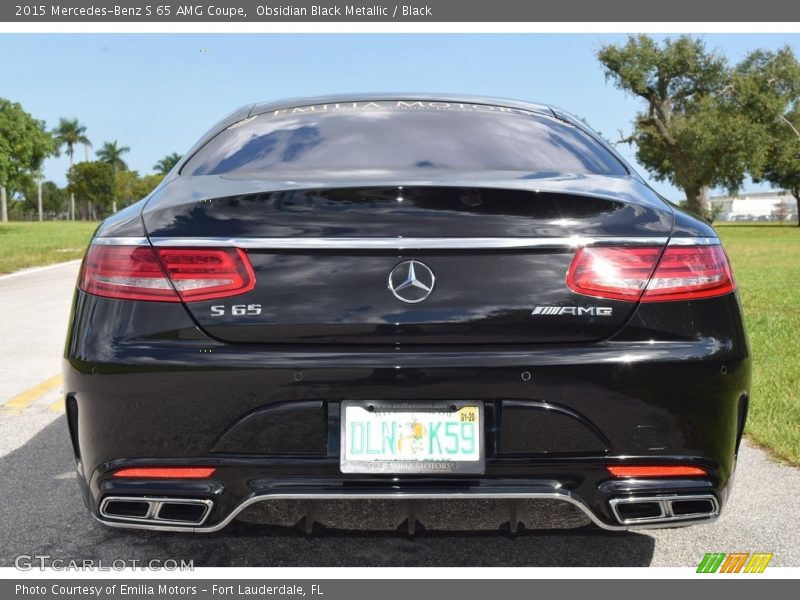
(307,300)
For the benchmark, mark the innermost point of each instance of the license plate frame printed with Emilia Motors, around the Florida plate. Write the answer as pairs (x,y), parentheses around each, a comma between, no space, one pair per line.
(411,466)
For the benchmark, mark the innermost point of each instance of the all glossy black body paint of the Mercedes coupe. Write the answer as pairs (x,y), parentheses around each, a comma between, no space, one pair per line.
(163,384)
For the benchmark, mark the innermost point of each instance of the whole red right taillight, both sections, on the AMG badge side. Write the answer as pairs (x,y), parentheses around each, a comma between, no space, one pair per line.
(650,274)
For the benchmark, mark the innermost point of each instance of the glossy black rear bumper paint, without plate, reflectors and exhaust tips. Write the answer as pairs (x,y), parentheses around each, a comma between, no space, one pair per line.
(171,395)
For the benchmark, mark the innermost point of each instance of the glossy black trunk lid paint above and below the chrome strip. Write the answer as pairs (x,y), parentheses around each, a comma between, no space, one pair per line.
(306,295)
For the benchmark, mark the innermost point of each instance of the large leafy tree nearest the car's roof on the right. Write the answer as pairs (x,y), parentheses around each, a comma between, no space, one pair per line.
(693,132)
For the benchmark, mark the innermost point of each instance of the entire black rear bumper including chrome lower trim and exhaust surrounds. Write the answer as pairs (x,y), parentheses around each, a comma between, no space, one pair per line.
(267,418)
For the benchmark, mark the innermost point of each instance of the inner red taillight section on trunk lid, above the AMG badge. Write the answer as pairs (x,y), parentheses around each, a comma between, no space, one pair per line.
(616,273)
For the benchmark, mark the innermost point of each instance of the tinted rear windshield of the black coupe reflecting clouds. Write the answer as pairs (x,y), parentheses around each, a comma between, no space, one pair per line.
(402,135)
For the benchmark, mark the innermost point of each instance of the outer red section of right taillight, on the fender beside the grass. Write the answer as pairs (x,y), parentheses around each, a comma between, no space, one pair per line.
(689,272)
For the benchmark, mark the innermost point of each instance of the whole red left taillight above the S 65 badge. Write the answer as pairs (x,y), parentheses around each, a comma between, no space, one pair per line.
(166,274)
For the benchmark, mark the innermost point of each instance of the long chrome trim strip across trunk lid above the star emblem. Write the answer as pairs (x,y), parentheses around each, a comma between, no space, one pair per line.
(472,243)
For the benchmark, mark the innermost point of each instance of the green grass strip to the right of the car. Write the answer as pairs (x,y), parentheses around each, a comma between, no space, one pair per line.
(766,263)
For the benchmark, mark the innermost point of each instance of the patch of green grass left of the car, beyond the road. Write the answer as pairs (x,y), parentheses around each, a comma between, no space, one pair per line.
(25,245)
